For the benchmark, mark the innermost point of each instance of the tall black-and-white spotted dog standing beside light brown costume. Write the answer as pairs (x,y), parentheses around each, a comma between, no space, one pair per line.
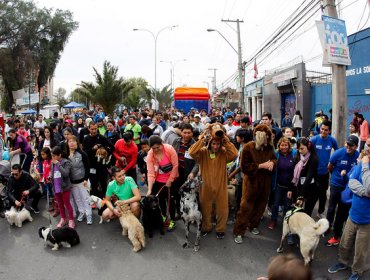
(189,208)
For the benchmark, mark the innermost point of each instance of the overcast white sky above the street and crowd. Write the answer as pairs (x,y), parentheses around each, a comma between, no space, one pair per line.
(106,33)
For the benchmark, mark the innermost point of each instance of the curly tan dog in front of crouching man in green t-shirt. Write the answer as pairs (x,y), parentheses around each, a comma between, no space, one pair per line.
(131,226)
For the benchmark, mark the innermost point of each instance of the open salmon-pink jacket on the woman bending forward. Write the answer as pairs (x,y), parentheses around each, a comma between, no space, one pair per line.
(153,166)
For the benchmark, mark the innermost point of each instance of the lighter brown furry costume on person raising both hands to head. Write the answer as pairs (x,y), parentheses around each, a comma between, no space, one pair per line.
(214,177)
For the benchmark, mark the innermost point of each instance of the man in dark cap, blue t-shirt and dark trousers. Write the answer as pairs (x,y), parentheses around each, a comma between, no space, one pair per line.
(341,162)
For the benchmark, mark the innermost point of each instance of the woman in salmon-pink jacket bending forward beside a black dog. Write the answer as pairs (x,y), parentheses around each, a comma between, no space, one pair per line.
(162,164)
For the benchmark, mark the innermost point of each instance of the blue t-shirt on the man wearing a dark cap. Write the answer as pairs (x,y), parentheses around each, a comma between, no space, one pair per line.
(341,160)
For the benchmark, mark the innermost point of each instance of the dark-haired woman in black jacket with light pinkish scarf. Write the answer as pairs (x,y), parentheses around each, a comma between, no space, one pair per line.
(305,175)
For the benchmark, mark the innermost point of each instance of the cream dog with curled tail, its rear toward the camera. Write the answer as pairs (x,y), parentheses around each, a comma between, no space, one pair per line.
(308,231)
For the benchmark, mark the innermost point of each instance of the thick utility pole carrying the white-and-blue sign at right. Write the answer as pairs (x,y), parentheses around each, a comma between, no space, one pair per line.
(339,92)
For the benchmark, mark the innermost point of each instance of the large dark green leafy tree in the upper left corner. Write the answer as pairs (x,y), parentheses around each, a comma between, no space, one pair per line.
(31,41)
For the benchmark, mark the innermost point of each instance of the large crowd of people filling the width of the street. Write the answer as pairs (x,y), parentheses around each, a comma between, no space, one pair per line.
(270,166)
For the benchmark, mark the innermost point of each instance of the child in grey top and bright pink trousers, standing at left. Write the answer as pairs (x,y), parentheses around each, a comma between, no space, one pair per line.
(60,172)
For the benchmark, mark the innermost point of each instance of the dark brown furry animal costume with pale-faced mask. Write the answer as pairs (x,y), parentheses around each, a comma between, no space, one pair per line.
(257,181)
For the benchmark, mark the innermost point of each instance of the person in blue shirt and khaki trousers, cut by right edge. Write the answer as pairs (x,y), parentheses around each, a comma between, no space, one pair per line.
(356,233)
